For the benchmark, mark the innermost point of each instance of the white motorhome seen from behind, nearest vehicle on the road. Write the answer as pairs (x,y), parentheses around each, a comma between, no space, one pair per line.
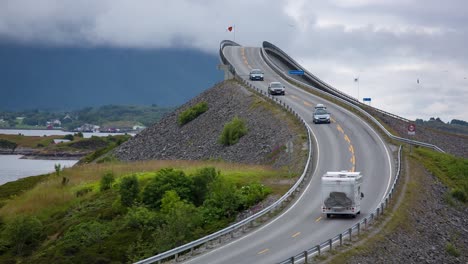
(341,193)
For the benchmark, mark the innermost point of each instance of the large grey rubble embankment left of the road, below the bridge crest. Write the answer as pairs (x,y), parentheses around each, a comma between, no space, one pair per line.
(268,131)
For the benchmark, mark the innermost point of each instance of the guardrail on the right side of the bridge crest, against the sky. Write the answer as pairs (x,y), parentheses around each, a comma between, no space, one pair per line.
(330,91)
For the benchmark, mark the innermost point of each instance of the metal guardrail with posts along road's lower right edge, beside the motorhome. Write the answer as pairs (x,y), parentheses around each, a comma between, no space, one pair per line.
(306,255)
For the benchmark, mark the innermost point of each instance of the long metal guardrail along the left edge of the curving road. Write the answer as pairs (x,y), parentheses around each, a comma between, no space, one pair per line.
(280,203)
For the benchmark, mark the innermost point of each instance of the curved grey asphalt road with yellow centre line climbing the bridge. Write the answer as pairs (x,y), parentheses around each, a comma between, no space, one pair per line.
(348,143)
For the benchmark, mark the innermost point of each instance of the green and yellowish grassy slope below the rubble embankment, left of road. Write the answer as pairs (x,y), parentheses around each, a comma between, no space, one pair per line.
(59,208)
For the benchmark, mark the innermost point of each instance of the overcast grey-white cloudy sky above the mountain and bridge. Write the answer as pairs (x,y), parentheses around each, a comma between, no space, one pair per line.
(388,44)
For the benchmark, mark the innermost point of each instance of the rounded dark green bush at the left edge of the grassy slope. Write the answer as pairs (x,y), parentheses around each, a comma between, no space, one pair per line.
(23,233)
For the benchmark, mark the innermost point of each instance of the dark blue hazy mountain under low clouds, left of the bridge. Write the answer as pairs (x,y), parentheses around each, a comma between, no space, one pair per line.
(62,78)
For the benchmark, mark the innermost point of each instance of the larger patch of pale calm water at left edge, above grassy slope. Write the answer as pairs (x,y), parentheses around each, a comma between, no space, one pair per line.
(13,168)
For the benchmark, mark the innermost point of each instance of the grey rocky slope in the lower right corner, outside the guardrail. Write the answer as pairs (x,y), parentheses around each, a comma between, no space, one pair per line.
(433,231)
